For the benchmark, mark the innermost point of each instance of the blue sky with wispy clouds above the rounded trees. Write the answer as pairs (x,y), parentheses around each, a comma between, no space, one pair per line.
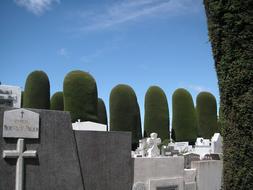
(135,42)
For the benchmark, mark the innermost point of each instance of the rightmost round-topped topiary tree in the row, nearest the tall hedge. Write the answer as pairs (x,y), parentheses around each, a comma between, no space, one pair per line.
(206,109)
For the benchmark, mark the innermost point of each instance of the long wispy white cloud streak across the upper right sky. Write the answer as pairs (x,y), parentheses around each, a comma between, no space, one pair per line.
(133,10)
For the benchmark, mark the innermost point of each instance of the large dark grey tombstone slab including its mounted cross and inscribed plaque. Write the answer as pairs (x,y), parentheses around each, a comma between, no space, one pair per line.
(38,151)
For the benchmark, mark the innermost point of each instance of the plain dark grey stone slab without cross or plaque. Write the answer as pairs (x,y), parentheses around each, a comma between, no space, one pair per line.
(105,159)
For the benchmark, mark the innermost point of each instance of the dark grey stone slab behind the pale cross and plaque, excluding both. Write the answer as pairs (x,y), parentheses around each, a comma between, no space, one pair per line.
(56,166)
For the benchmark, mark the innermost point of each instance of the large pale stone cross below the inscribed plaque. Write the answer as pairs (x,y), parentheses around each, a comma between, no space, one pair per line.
(20,154)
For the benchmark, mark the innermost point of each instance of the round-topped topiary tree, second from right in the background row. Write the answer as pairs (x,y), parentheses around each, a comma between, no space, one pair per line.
(184,120)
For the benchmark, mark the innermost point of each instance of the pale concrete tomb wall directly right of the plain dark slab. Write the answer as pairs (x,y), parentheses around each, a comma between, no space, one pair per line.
(159,172)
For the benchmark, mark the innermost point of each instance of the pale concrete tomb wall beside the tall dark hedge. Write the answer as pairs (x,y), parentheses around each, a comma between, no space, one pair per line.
(209,174)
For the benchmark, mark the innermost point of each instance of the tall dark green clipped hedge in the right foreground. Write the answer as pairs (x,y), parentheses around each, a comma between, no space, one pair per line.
(231,35)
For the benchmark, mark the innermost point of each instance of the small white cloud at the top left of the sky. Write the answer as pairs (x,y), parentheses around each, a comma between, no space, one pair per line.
(37,7)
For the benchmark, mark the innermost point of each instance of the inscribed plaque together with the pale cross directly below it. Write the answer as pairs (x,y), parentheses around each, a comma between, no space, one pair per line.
(20,124)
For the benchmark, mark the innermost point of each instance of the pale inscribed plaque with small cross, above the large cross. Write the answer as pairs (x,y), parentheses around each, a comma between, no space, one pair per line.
(21,123)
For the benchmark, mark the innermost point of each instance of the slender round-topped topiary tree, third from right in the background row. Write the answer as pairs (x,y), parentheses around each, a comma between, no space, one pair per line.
(156,113)
